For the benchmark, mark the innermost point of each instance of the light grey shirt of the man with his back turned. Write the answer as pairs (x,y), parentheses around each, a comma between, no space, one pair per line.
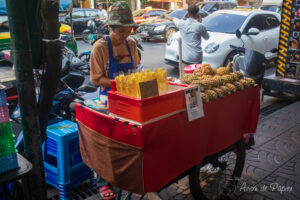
(191,32)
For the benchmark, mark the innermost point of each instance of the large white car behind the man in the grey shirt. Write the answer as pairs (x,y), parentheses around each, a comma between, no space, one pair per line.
(222,26)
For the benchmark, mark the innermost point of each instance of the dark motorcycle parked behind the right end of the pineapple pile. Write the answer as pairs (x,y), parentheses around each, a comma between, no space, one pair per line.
(250,62)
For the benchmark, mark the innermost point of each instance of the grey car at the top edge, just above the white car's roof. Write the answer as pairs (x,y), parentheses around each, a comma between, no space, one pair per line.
(212,6)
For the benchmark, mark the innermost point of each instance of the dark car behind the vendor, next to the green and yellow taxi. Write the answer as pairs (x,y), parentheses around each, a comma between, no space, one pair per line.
(80,17)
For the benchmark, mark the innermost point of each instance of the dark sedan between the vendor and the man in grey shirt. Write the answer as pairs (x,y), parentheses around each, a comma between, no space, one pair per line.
(162,28)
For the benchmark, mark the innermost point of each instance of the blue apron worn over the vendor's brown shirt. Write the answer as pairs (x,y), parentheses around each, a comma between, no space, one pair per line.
(114,67)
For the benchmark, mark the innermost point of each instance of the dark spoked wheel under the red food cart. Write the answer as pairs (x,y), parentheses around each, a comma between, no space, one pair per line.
(218,175)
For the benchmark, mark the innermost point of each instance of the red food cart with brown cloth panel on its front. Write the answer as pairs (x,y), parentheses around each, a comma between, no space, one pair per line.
(146,157)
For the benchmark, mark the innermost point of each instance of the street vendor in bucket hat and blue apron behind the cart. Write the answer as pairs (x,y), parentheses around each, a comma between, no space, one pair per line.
(111,55)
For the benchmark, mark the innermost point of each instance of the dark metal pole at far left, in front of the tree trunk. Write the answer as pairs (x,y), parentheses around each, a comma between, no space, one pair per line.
(20,44)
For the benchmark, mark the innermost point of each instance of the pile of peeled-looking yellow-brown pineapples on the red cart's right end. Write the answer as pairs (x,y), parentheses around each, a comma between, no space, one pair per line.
(216,83)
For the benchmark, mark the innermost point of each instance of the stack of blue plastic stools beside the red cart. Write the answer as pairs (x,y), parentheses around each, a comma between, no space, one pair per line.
(62,160)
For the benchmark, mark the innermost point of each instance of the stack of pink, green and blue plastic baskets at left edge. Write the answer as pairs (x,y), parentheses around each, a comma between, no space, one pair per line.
(8,157)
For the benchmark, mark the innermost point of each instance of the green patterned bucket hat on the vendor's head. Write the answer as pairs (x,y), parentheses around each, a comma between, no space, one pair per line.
(120,15)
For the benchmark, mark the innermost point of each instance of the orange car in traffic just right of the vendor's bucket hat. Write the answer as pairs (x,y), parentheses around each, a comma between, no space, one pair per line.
(144,15)
